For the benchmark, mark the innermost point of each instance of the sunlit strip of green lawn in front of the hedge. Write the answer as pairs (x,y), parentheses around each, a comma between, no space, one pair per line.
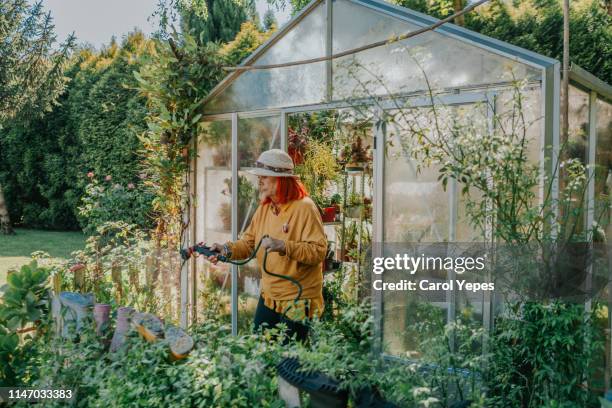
(15,250)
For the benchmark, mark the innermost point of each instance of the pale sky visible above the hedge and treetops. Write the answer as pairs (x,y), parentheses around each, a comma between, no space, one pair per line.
(96,21)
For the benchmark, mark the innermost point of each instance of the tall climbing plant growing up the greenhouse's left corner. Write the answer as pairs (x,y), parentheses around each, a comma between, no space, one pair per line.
(176,83)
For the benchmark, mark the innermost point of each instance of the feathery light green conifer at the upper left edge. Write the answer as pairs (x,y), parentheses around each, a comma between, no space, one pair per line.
(31,70)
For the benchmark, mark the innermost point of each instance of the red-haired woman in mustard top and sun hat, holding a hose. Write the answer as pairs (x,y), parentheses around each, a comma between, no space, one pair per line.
(296,246)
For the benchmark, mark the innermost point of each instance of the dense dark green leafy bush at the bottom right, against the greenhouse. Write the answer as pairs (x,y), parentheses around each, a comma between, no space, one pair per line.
(542,354)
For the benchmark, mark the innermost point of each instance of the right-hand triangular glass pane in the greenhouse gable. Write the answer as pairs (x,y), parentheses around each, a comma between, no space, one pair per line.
(427,61)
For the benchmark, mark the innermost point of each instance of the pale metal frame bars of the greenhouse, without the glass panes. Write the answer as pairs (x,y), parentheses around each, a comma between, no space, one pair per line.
(550,99)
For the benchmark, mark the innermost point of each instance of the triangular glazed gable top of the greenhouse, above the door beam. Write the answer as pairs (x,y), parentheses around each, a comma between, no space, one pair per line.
(449,57)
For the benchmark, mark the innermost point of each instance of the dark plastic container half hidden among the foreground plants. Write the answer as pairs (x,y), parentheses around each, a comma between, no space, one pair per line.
(324,391)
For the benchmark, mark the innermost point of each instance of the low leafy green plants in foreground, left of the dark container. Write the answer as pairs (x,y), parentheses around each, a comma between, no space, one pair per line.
(223,370)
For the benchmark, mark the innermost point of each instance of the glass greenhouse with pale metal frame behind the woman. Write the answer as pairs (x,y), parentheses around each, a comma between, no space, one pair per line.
(358,110)
